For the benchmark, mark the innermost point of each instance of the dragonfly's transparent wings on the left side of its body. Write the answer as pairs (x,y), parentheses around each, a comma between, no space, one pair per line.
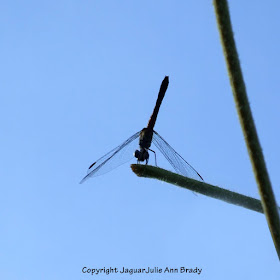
(114,158)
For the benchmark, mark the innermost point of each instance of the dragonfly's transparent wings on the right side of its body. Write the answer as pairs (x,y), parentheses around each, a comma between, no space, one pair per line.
(177,162)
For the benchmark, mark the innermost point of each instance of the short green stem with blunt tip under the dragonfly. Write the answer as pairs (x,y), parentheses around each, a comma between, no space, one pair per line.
(149,171)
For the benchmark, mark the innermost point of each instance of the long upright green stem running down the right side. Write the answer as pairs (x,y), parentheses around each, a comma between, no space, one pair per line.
(246,120)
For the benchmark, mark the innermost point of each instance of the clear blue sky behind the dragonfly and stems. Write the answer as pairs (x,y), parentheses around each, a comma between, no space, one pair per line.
(77,79)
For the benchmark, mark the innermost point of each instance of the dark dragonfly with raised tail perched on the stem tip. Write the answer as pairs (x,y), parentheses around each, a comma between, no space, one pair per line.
(146,136)
